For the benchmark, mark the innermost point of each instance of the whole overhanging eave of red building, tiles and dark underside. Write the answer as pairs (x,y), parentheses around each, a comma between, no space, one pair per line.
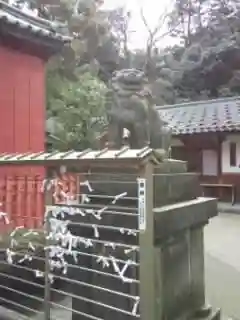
(37,34)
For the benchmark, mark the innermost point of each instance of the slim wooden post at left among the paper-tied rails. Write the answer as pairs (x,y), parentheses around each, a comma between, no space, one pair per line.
(47,283)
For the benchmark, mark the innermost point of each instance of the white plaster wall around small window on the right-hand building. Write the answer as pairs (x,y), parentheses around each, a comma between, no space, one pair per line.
(226,168)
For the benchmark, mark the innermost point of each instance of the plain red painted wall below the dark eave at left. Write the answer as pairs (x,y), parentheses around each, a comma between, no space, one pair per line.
(22,102)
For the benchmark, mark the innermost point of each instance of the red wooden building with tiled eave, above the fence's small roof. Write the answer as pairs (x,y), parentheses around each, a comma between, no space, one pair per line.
(26,43)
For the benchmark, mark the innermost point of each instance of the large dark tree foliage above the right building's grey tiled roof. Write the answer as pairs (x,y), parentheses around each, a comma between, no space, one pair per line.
(209,54)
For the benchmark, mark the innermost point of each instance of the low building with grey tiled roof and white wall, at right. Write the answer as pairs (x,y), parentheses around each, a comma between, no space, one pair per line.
(206,134)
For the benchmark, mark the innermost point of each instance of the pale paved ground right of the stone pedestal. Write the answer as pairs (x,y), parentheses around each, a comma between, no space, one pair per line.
(222,245)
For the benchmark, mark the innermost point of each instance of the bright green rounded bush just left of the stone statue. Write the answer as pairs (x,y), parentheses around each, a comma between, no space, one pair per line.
(78,110)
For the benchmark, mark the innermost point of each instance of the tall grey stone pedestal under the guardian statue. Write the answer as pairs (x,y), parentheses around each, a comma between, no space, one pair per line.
(179,220)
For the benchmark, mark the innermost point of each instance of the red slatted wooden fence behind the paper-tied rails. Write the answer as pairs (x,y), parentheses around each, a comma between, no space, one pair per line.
(22,197)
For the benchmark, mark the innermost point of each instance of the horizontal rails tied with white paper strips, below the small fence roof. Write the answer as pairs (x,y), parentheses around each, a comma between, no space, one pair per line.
(84,261)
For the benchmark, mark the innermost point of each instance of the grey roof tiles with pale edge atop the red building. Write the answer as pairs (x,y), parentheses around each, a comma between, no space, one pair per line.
(12,16)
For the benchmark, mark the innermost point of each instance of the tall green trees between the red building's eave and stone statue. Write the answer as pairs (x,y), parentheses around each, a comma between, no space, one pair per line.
(75,93)
